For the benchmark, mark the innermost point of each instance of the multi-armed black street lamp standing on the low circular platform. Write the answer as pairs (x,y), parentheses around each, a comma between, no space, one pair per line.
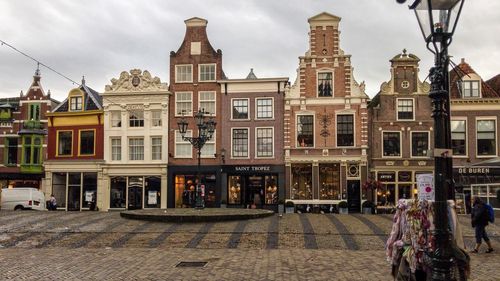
(206,130)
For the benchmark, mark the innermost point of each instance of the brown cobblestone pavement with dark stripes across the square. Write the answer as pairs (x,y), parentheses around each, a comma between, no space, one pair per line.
(104,246)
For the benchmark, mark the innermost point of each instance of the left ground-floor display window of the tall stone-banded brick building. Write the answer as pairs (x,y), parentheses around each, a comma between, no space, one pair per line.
(301,182)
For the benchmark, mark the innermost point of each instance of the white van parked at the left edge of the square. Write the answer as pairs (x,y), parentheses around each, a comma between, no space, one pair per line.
(22,198)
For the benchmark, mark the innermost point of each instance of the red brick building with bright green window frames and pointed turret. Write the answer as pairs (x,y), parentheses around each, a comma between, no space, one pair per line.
(23,136)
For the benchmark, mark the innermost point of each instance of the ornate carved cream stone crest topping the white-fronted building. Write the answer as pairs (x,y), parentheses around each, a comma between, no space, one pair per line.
(136,81)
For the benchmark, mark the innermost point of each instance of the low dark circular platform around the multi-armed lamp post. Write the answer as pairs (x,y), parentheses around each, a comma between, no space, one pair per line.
(194,215)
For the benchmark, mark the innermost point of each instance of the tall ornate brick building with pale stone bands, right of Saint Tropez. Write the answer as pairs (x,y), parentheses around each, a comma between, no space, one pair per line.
(326,124)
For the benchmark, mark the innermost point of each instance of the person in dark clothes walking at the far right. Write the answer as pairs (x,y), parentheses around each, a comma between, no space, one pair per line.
(479,220)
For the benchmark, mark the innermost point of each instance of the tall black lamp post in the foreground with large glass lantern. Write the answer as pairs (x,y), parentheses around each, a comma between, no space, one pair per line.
(438,20)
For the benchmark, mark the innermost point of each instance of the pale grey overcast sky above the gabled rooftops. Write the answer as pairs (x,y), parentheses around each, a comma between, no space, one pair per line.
(101,38)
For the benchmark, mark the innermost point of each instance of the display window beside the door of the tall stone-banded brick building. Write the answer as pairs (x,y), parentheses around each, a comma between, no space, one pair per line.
(329,178)
